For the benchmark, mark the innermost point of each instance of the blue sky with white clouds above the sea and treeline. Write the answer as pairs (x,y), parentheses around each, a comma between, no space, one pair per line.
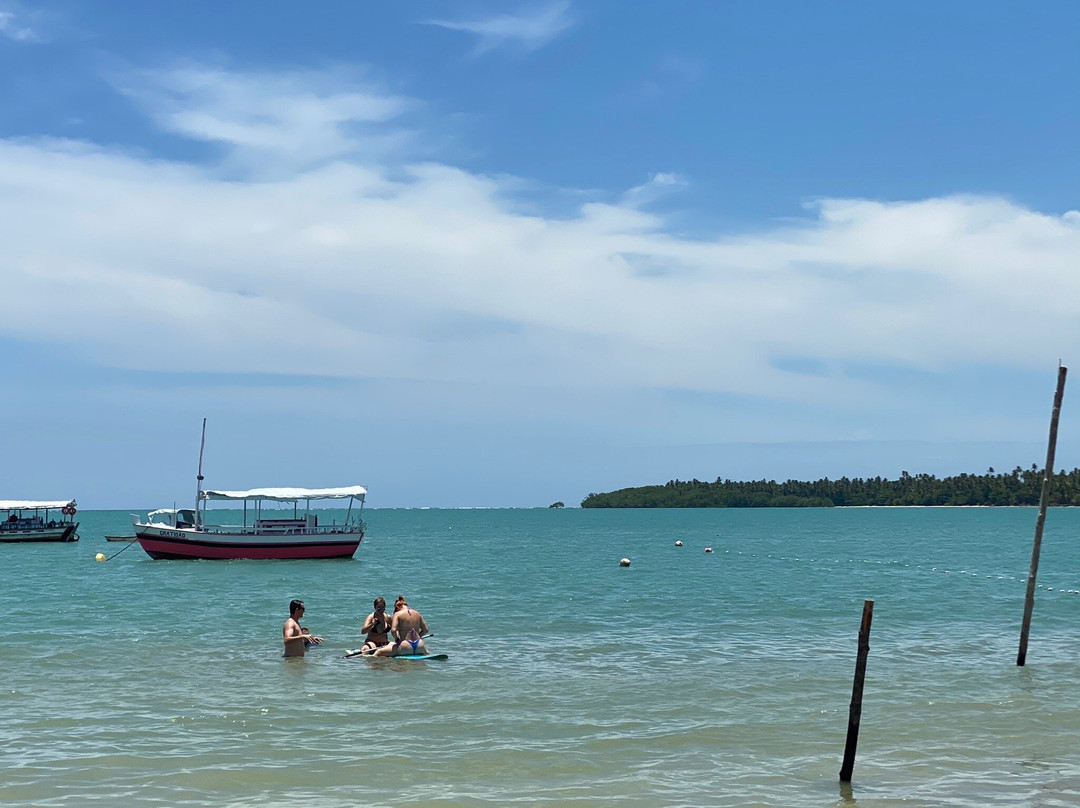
(498,254)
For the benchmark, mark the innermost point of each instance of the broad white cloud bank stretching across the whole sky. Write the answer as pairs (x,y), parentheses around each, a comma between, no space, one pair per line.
(362,266)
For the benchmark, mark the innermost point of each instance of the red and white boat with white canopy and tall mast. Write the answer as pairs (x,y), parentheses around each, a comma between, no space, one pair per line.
(264,533)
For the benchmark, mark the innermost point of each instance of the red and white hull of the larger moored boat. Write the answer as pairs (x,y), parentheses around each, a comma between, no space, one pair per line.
(172,544)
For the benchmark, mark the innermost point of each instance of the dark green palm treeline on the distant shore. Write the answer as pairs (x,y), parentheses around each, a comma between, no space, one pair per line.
(1018,488)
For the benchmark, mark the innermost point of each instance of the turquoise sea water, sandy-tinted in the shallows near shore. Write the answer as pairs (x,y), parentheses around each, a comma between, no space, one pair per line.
(686,680)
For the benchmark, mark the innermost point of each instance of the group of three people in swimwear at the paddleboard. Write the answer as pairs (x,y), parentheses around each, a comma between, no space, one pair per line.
(400,635)
